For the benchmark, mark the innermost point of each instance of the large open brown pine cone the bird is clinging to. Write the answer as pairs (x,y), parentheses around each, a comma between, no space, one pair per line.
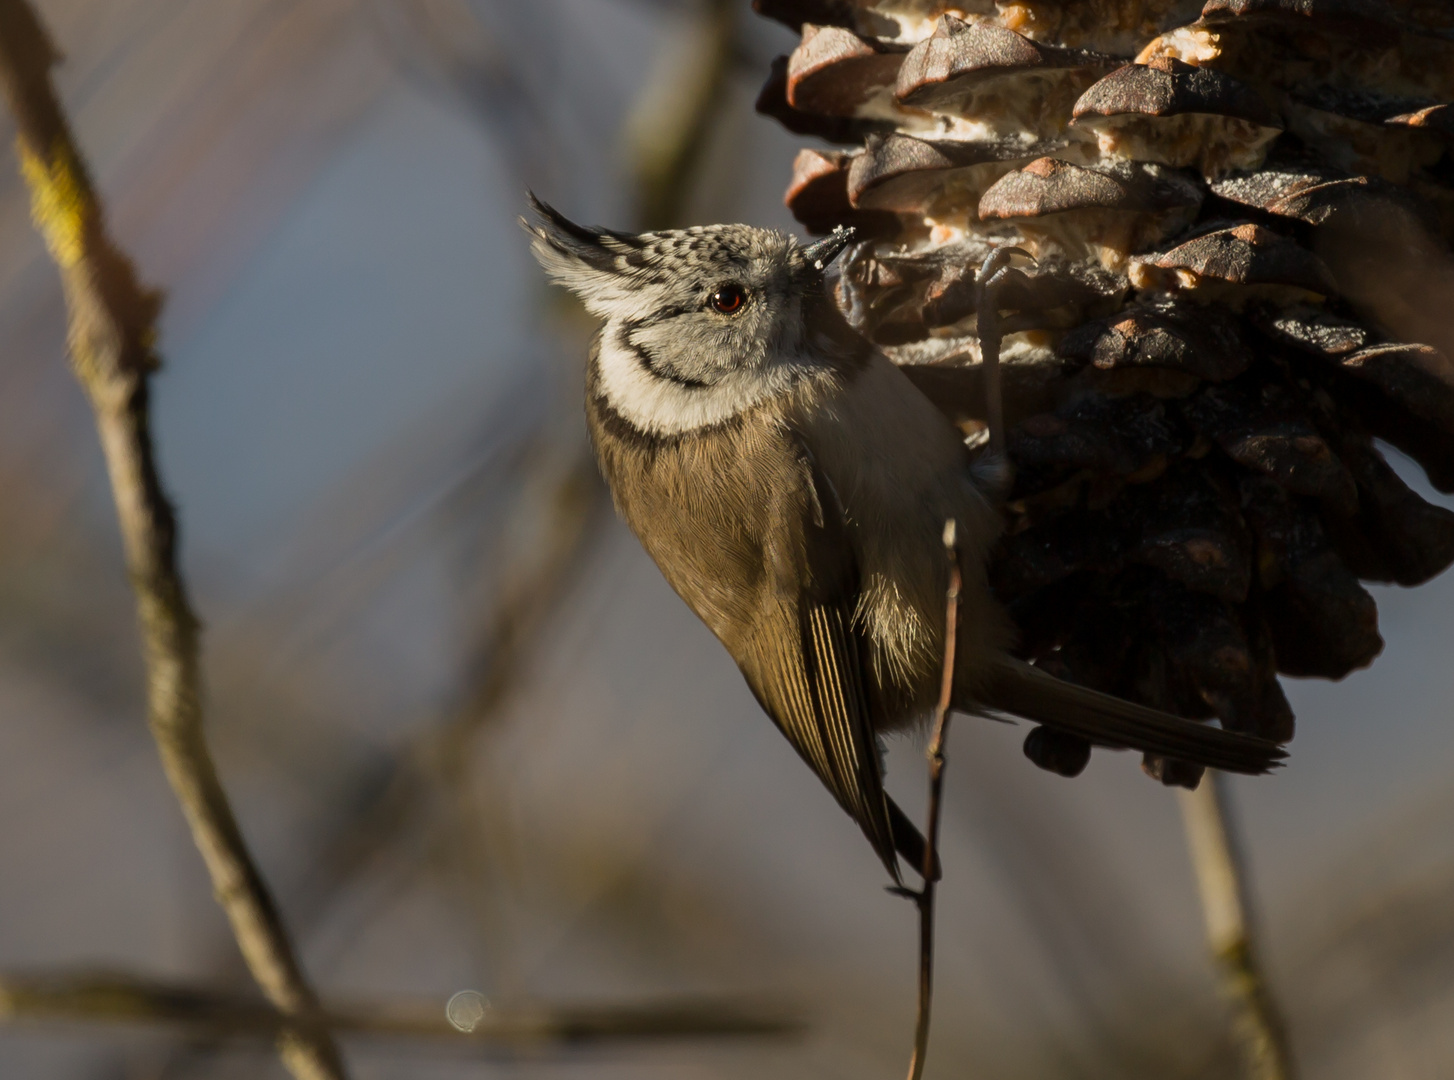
(1192,390)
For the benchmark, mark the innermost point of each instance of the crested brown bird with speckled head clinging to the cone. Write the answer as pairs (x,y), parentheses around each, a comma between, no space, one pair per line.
(793,486)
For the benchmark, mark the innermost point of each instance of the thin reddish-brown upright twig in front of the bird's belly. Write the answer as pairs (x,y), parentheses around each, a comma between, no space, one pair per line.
(924,899)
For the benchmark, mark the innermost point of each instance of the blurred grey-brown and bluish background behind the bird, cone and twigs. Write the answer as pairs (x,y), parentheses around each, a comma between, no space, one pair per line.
(473,738)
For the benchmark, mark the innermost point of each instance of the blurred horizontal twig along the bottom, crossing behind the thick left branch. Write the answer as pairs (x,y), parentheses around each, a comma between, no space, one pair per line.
(129,999)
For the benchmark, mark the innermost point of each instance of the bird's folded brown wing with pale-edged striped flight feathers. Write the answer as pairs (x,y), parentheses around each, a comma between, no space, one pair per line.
(809,672)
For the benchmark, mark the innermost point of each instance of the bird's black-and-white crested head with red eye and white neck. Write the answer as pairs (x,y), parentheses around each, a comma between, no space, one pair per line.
(702,323)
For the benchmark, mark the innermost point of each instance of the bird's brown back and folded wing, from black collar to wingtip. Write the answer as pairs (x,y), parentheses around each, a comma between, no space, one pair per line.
(766,565)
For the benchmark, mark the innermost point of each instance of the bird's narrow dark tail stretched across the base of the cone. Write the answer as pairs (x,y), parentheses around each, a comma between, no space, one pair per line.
(1026,691)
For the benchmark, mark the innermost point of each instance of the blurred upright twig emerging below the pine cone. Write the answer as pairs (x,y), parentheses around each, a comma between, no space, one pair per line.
(1222,880)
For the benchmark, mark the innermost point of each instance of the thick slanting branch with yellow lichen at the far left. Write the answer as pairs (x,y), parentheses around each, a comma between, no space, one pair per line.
(113,334)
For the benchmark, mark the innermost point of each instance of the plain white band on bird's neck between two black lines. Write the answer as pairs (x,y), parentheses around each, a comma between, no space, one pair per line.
(664,408)
